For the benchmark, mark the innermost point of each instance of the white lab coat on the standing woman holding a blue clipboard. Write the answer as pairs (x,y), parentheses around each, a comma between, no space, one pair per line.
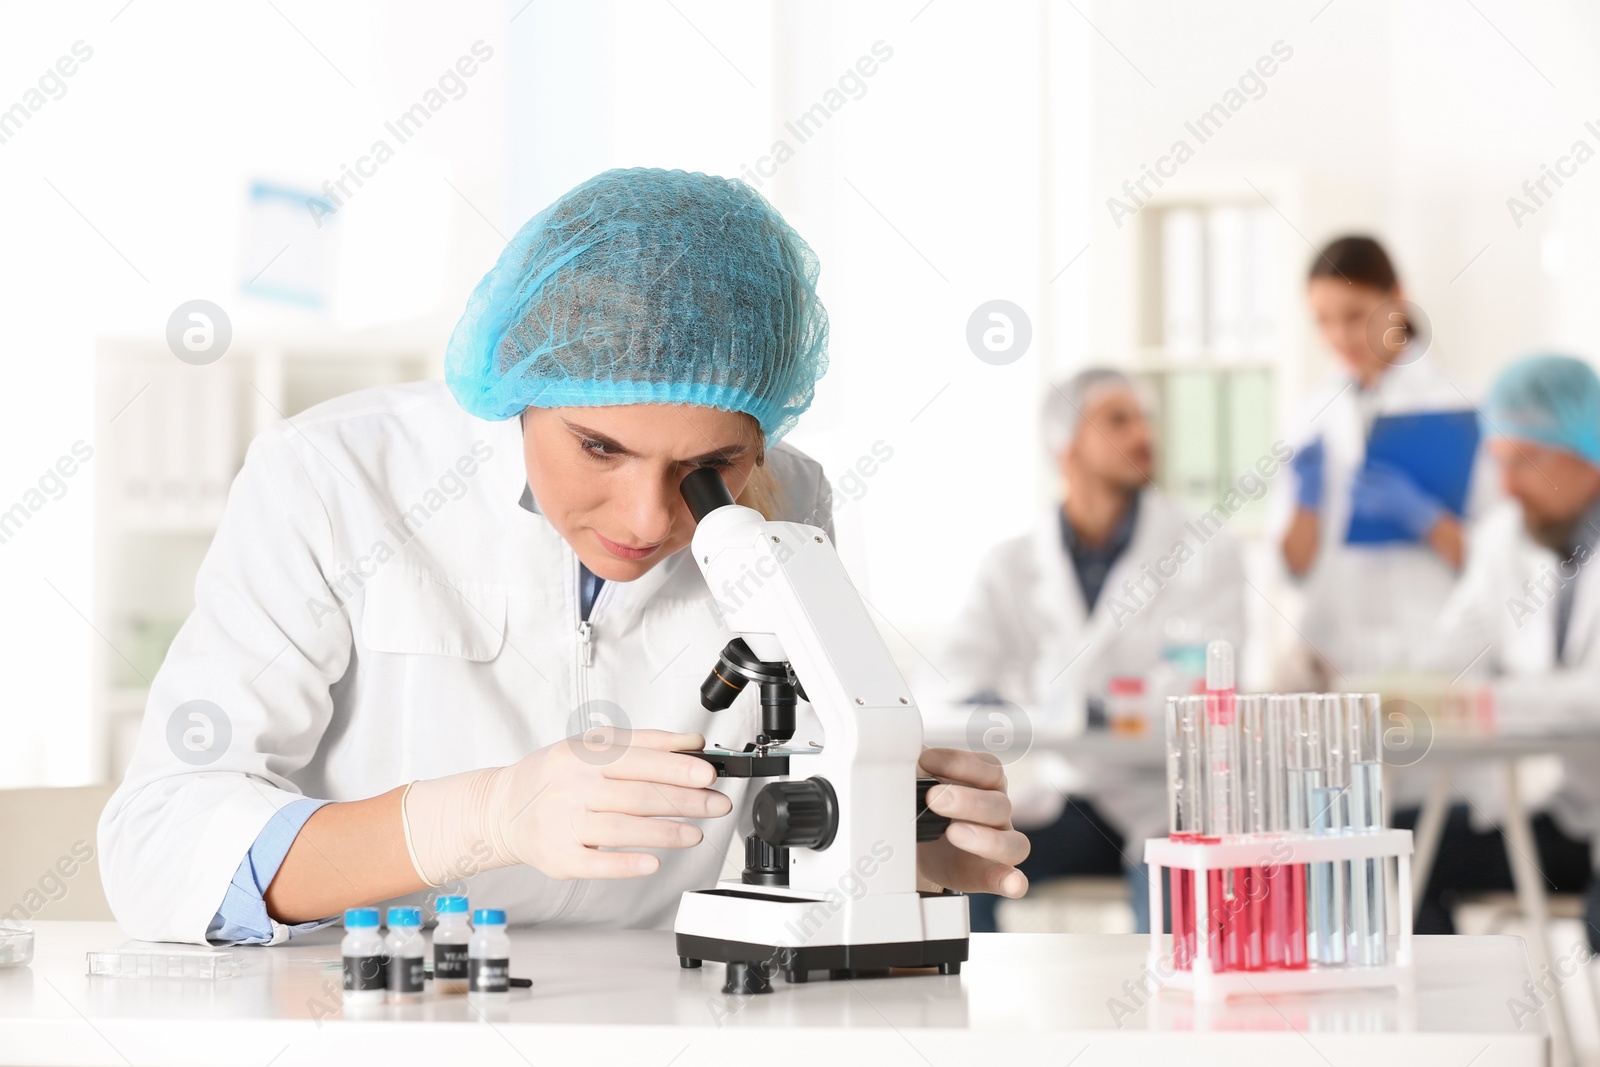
(1364,605)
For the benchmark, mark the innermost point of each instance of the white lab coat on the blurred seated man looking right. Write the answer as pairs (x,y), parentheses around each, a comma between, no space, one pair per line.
(1026,636)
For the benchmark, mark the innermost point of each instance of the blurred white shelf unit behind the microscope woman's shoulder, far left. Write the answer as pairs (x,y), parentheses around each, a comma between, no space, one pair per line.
(175,438)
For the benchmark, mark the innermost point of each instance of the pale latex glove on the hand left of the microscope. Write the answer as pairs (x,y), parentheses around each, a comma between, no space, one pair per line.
(561,805)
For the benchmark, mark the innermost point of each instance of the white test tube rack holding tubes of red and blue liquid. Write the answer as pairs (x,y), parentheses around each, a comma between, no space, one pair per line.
(1257,850)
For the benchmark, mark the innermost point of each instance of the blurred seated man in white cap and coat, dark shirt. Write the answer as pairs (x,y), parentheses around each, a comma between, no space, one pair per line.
(1111,583)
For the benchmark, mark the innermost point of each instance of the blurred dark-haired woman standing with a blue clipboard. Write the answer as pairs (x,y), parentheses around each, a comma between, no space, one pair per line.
(1366,602)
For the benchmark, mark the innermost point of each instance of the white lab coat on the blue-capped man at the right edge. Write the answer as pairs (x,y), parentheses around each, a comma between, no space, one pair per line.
(1495,631)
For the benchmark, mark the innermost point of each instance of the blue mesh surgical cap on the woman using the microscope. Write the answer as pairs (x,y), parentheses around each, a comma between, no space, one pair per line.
(647,287)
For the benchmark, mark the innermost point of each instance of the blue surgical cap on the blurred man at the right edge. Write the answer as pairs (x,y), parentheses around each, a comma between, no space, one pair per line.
(1550,401)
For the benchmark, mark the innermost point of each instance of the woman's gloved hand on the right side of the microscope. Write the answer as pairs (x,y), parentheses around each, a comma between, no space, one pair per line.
(980,850)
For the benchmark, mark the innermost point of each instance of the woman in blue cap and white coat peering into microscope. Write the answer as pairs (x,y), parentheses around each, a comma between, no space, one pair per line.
(415,602)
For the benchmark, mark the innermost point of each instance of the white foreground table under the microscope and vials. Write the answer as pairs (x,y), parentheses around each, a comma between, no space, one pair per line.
(602,997)
